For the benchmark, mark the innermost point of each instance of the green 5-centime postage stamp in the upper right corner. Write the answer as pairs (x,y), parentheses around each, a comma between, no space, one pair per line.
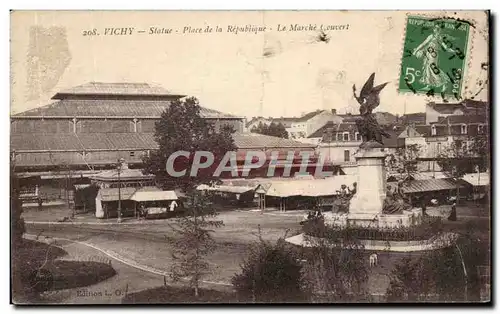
(434,56)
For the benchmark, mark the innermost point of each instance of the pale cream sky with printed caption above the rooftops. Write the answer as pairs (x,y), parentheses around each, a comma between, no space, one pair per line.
(272,73)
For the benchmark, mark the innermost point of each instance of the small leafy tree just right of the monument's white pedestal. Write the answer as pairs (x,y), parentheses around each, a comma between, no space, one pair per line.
(404,160)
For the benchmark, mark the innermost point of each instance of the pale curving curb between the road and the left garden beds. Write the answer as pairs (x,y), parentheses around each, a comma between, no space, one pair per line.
(117,257)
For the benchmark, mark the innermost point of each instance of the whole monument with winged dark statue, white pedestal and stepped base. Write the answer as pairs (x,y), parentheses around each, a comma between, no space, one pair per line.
(373,205)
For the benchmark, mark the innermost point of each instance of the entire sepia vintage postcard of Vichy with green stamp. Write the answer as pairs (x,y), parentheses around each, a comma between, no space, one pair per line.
(165,157)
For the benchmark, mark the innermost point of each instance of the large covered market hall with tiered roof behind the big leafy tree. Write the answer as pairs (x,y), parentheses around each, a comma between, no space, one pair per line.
(93,125)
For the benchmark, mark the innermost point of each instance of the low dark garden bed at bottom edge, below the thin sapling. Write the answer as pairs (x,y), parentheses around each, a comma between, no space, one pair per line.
(175,295)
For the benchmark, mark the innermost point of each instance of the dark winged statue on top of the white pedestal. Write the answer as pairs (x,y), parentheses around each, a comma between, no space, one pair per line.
(369,99)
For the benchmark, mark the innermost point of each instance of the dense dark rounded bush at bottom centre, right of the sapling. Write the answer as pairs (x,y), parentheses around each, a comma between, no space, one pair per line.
(271,273)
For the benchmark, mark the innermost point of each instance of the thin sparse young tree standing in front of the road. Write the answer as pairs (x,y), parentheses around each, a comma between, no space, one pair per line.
(194,241)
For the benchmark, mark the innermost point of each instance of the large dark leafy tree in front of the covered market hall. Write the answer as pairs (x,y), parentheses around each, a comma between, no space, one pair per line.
(181,128)
